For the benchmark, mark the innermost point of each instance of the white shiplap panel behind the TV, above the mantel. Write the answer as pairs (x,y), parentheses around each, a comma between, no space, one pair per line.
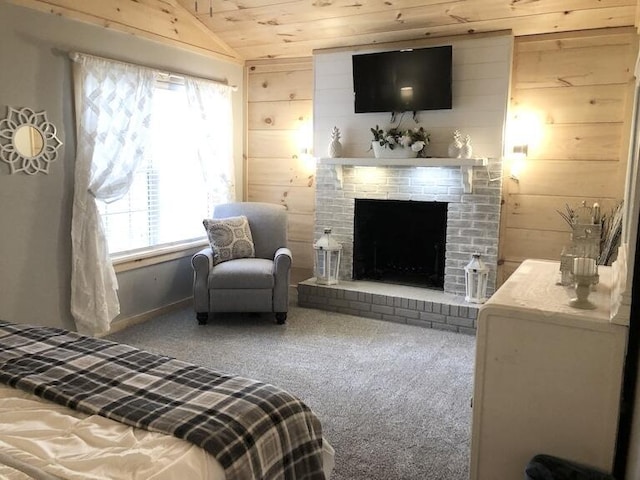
(481,67)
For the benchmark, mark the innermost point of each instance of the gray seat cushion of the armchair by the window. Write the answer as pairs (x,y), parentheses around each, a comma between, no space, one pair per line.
(246,273)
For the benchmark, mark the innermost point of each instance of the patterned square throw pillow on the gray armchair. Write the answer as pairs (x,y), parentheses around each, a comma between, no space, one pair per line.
(230,238)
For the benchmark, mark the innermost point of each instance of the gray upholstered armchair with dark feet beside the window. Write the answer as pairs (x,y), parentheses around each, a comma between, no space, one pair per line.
(259,284)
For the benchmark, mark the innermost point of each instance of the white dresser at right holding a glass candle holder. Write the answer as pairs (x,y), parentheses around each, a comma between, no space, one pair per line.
(547,376)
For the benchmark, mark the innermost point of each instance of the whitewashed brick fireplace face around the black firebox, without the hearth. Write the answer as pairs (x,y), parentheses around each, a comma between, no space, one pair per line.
(473,219)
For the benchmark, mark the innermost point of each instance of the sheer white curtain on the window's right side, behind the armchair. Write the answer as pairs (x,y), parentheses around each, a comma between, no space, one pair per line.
(212,125)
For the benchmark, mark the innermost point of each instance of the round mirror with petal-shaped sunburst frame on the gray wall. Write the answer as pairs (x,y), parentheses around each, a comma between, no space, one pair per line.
(28,141)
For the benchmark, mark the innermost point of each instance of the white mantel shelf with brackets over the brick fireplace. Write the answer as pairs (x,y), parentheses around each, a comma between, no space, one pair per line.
(465,164)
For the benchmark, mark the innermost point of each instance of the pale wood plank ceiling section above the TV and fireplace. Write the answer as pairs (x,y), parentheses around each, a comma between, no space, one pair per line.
(294,28)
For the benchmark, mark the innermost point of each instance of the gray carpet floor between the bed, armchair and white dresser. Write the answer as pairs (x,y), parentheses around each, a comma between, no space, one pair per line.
(394,400)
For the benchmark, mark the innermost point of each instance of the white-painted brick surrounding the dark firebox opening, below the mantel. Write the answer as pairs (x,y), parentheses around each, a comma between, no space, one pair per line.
(472,227)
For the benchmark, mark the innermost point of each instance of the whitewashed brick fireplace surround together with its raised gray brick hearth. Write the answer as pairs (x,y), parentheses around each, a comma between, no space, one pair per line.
(472,226)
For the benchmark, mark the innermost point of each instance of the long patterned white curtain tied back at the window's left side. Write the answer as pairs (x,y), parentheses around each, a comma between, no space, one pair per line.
(113,107)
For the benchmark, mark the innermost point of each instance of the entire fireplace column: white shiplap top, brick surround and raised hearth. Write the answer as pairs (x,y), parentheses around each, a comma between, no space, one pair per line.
(481,78)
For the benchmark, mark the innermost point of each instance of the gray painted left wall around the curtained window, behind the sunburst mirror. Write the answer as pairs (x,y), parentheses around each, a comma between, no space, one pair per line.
(35,220)
